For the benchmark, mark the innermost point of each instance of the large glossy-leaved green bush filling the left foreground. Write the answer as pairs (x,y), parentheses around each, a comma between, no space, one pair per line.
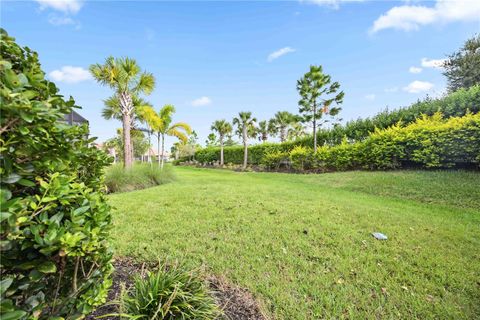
(55,257)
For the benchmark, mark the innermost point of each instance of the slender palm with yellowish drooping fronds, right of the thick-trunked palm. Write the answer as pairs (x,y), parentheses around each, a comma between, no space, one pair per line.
(163,126)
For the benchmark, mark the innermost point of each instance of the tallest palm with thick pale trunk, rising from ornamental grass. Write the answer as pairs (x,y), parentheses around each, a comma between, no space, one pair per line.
(125,77)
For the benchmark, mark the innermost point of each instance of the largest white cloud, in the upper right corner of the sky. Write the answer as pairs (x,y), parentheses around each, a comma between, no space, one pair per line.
(408,17)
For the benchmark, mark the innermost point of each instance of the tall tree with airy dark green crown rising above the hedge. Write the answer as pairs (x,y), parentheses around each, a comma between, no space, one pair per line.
(317,95)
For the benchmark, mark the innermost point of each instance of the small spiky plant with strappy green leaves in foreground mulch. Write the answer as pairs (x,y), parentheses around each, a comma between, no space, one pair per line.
(170,293)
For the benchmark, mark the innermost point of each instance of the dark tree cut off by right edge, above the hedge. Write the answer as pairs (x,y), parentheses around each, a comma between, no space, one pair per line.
(462,68)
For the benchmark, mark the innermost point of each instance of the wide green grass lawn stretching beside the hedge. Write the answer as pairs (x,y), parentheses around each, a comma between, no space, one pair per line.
(302,245)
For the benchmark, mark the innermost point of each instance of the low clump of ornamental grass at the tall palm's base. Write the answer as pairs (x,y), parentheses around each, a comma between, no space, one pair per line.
(140,176)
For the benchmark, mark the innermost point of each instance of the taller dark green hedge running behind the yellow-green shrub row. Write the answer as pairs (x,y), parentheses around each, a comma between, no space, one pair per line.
(453,105)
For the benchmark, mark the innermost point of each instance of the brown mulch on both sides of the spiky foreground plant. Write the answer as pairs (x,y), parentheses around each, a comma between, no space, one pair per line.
(236,303)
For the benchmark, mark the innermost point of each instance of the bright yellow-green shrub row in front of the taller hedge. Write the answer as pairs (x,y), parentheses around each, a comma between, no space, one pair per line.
(429,142)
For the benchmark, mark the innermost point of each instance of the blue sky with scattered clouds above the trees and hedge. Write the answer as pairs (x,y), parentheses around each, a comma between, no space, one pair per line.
(213,59)
